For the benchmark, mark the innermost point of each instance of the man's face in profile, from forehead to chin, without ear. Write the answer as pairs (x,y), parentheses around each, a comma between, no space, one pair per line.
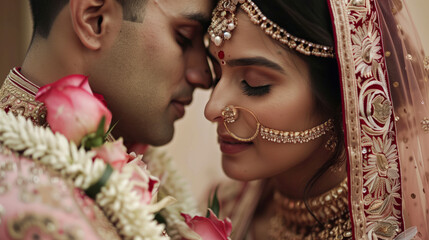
(153,68)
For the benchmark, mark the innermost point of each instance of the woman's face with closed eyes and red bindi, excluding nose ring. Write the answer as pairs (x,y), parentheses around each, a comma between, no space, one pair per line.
(259,74)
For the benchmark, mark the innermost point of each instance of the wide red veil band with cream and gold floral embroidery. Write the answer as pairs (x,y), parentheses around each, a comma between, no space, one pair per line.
(378,164)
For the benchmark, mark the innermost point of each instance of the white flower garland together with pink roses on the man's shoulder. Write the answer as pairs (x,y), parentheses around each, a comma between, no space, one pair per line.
(75,146)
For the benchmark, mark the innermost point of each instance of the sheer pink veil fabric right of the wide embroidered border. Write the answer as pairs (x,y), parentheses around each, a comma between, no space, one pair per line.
(409,89)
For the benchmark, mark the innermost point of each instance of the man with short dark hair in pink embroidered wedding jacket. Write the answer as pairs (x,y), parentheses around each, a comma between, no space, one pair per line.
(145,57)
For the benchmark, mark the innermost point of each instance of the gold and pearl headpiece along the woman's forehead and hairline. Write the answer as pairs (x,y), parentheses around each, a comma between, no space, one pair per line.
(224,21)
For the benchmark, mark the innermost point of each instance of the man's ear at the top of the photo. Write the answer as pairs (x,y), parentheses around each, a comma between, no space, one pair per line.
(96,22)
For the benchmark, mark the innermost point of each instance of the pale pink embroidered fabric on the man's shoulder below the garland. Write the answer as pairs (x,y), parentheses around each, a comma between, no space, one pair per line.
(39,203)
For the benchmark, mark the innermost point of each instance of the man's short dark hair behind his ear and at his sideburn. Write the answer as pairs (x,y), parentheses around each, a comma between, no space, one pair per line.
(44,13)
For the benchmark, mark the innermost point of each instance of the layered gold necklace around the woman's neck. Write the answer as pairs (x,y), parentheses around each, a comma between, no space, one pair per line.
(293,221)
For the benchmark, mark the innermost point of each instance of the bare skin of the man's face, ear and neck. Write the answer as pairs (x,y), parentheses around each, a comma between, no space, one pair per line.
(146,69)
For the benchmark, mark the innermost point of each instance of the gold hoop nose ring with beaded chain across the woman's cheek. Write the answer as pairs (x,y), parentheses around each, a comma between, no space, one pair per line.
(230,114)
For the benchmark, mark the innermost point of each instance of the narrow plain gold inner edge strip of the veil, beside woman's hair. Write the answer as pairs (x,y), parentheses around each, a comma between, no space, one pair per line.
(351,114)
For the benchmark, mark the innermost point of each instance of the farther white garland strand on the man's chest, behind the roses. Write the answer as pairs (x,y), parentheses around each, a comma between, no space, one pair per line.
(172,184)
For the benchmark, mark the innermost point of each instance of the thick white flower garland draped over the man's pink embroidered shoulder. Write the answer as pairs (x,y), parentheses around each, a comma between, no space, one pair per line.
(133,220)
